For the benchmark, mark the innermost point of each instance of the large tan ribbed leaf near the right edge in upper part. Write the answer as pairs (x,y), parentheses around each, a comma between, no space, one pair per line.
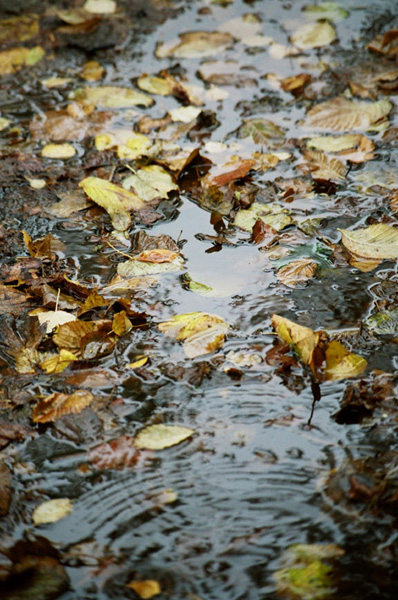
(341,114)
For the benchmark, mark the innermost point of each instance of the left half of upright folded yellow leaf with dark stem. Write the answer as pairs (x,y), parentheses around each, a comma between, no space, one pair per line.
(303,339)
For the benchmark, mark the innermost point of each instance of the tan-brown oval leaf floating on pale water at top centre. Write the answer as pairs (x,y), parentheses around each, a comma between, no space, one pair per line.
(195,44)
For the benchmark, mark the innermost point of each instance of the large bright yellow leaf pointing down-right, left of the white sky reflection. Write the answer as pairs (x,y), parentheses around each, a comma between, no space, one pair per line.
(114,199)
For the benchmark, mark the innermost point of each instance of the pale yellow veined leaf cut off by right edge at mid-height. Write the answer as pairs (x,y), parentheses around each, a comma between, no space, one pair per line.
(375,242)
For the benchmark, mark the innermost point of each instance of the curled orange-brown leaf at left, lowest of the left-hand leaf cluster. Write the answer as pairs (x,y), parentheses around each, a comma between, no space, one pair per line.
(56,405)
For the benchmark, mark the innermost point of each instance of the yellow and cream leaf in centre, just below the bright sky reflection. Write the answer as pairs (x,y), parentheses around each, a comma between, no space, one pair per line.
(202,333)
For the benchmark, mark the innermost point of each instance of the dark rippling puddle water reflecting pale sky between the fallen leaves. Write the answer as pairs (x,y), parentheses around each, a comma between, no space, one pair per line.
(251,482)
